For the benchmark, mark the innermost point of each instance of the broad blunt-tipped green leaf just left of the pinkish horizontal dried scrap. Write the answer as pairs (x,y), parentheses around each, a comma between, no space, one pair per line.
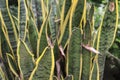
(74,55)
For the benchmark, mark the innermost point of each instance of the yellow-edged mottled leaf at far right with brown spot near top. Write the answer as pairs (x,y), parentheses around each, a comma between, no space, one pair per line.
(108,27)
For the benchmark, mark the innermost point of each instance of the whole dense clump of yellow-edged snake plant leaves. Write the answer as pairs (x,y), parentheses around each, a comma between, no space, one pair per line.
(54,40)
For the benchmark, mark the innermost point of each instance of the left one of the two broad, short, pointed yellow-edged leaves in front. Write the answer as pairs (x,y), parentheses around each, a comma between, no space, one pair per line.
(25,60)
